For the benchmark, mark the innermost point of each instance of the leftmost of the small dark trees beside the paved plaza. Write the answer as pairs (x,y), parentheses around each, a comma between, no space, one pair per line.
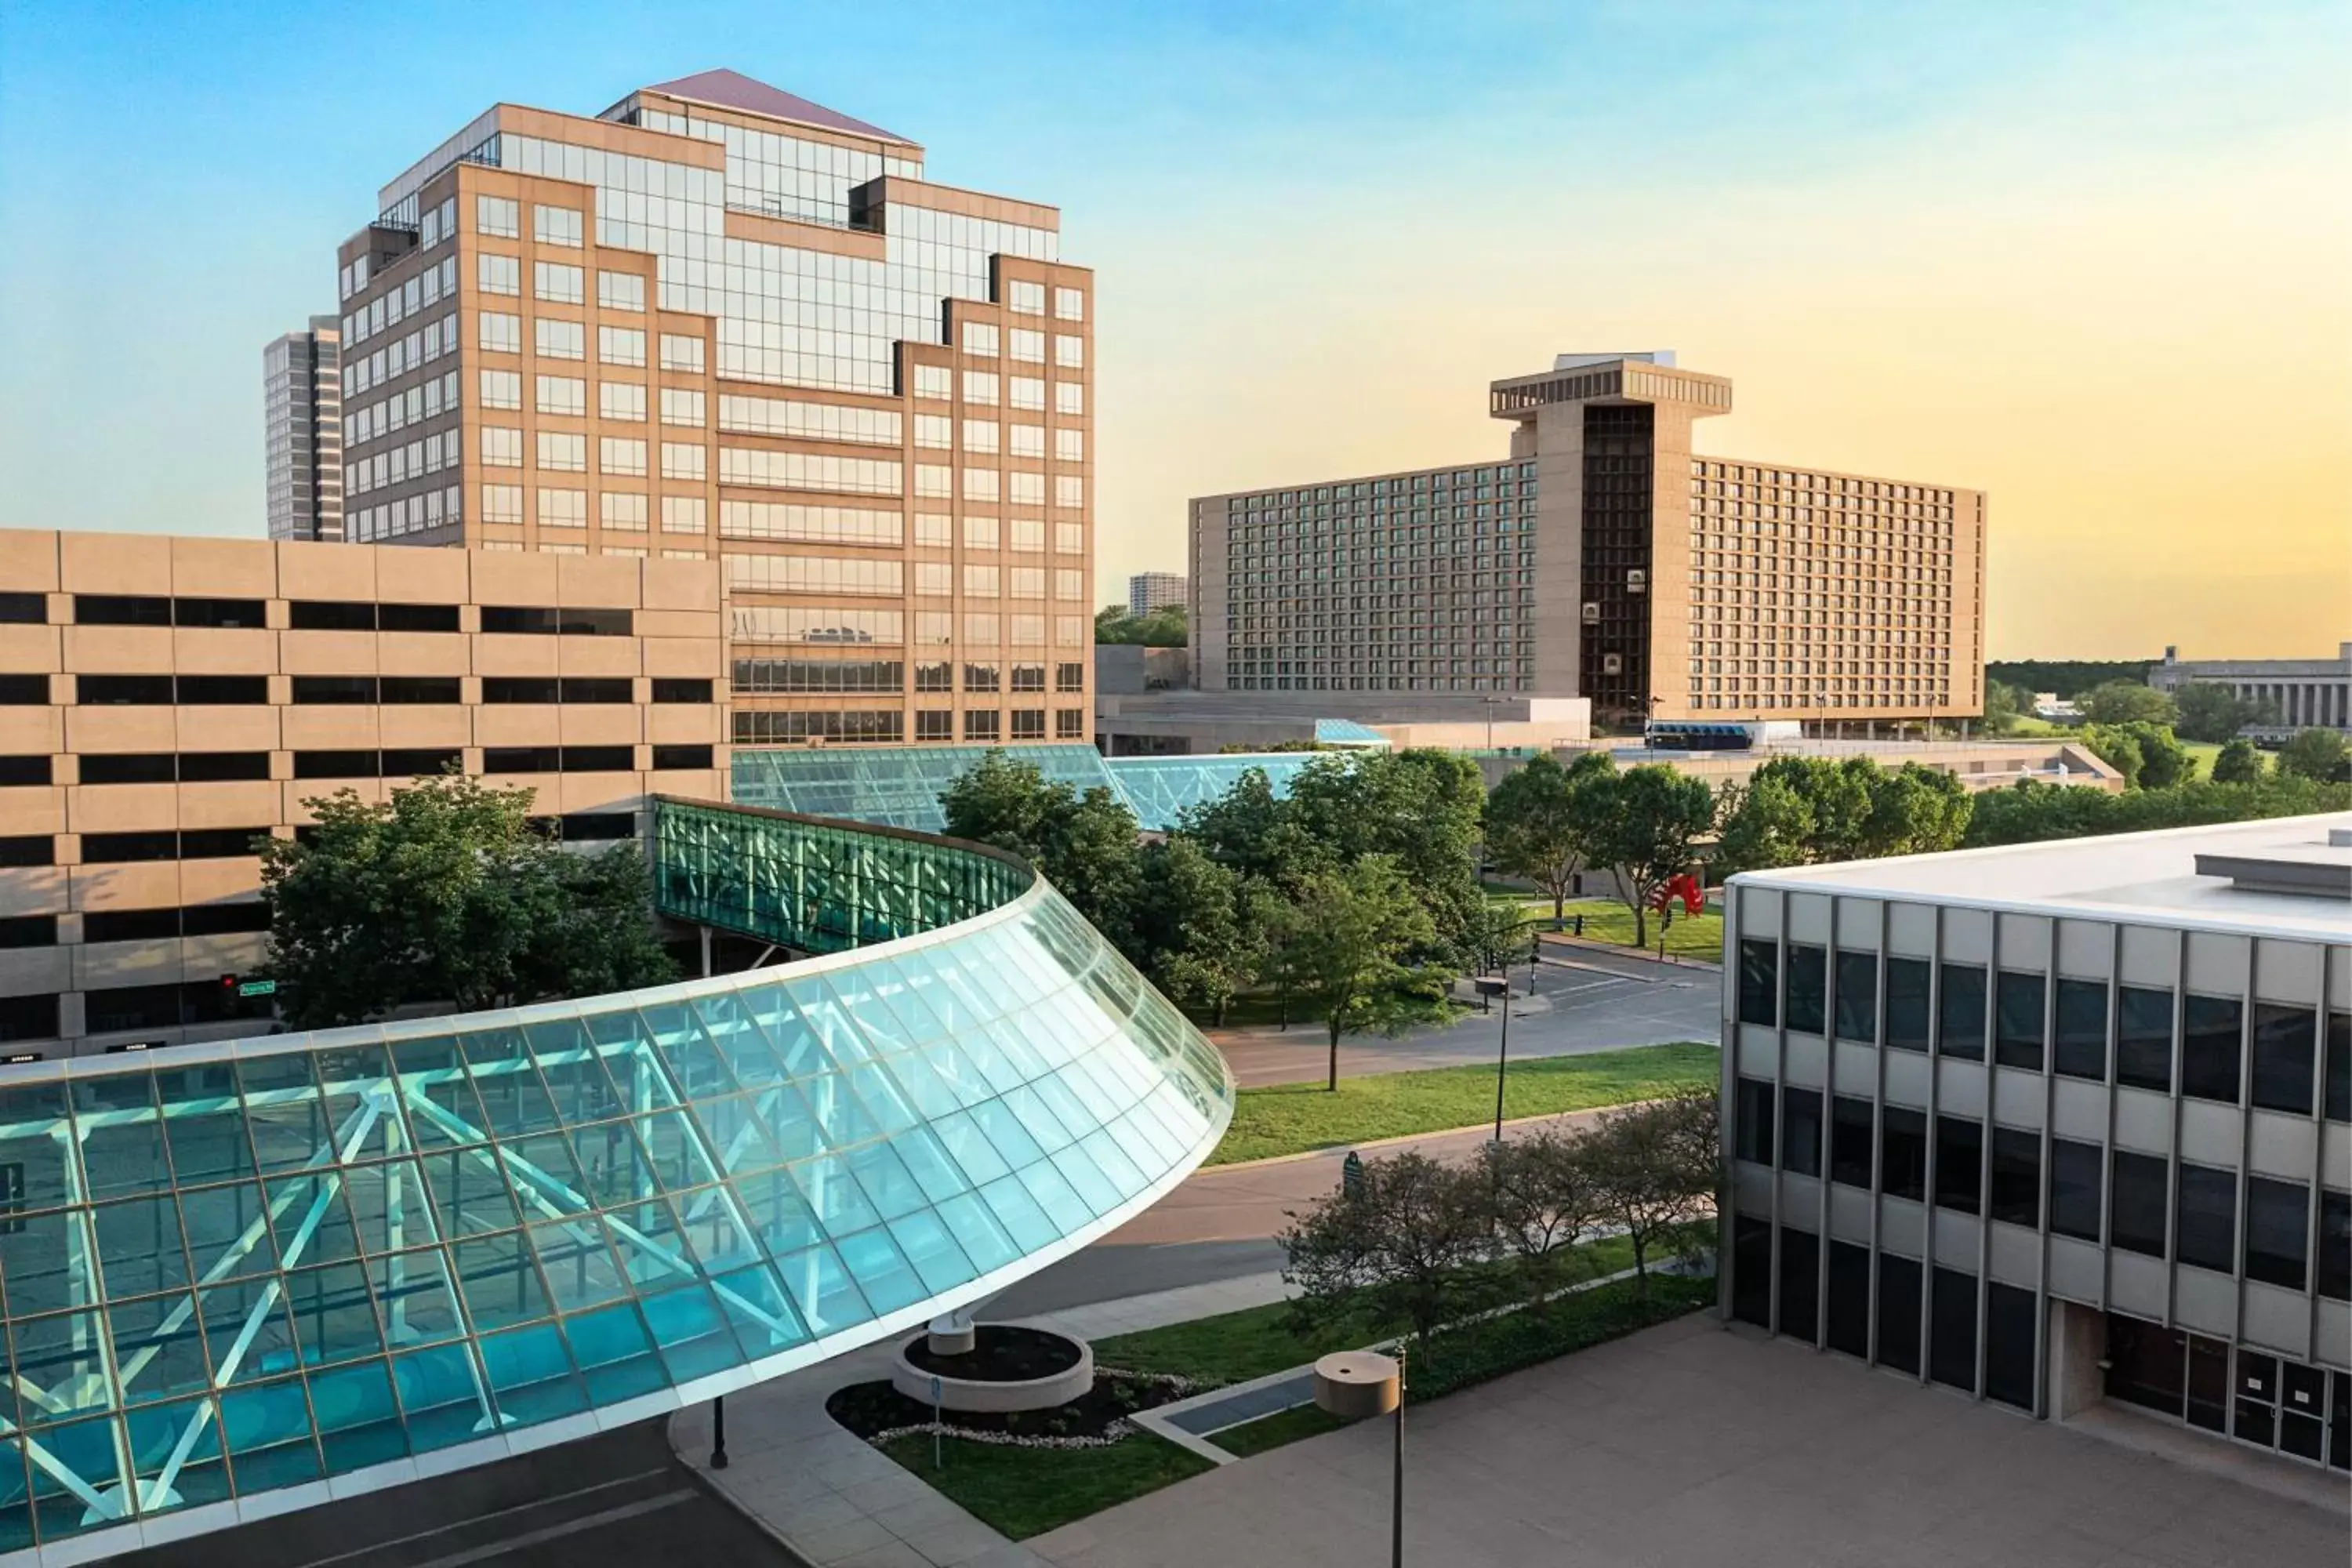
(1398,1245)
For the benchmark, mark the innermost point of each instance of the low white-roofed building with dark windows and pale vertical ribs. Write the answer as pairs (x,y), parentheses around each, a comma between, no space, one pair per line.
(2057,1125)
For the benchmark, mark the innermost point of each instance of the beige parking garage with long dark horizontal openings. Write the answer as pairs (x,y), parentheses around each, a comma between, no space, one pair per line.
(163,702)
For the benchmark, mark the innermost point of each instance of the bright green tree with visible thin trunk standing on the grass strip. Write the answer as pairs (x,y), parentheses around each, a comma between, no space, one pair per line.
(1349,946)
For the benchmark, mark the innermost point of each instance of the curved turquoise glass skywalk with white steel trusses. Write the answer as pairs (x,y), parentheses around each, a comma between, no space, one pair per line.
(267,1273)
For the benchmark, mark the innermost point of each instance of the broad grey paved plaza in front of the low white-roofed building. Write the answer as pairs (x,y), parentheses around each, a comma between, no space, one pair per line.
(1688,1445)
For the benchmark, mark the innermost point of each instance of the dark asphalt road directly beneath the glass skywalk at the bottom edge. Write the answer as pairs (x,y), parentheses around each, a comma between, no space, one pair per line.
(615,1499)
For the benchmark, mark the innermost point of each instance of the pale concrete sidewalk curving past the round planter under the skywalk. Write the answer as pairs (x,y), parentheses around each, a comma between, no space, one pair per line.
(841,1503)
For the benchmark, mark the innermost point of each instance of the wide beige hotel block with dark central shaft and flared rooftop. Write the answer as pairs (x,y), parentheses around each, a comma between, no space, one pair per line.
(1605,561)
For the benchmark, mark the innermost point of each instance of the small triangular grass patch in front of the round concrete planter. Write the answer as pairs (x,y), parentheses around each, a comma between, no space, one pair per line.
(1029,1492)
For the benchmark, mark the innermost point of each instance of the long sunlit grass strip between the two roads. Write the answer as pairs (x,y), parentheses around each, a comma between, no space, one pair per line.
(1302,1118)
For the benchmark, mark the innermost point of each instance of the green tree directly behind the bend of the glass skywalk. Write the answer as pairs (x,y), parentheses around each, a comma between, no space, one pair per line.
(1085,845)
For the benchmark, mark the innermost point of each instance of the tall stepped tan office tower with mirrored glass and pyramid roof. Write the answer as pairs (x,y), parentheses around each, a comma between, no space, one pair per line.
(721,321)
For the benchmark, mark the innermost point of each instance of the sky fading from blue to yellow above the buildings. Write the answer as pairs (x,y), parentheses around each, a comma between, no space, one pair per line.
(2094,260)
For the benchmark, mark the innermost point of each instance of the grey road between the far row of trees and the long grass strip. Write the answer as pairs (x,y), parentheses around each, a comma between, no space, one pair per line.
(1584,1003)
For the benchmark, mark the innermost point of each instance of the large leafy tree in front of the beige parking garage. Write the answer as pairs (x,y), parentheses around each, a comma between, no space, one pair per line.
(446,894)
